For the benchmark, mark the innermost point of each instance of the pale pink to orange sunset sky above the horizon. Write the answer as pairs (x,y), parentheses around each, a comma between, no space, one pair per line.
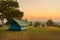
(40,10)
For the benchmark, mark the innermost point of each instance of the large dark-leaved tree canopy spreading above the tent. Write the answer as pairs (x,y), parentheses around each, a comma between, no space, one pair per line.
(9,9)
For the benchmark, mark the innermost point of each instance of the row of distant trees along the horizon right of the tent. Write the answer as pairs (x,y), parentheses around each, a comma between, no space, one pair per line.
(49,22)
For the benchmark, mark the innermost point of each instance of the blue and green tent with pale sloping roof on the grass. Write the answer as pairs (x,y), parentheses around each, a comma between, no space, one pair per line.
(15,24)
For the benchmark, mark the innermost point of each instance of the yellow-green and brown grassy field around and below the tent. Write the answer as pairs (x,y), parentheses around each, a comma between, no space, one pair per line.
(31,33)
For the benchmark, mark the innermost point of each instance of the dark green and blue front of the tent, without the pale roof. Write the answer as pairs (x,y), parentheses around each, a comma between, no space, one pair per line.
(13,25)
